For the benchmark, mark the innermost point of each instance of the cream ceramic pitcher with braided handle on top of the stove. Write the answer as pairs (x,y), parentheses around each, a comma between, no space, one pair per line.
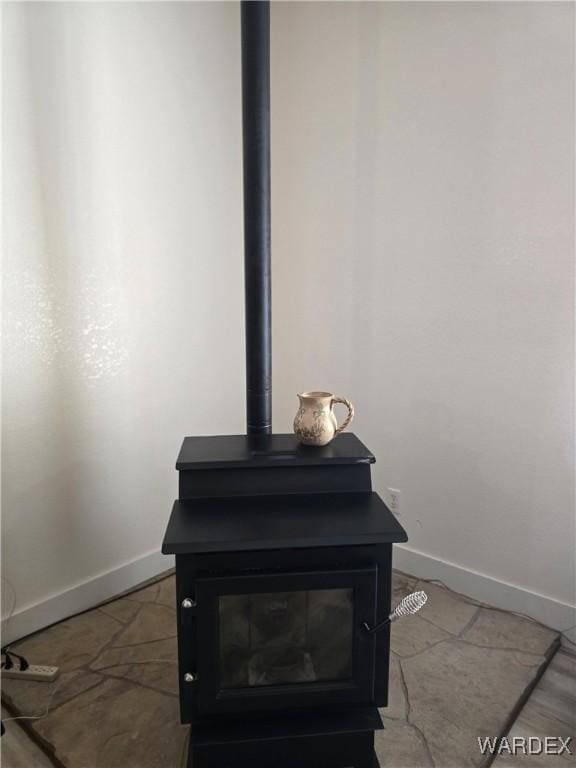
(315,422)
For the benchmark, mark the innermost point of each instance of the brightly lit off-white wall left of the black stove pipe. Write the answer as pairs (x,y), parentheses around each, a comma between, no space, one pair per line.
(123,262)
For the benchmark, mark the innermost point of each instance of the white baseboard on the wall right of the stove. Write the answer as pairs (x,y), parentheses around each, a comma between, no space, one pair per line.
(500,594)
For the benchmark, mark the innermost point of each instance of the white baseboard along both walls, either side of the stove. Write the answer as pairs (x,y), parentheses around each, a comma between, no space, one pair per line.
(83,596)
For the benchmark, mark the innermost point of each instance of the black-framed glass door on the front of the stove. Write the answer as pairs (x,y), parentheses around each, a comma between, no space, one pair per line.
(285,639)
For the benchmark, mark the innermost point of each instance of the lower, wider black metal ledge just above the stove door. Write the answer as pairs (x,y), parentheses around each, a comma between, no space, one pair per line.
(280,522)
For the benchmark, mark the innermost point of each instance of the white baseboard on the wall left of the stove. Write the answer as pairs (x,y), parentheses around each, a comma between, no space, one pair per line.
(83,596)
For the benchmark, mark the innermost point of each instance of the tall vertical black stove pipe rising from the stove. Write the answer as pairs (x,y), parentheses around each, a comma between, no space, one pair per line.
(255,16)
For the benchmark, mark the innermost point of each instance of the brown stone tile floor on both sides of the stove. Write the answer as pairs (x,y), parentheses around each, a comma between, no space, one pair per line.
(459,670)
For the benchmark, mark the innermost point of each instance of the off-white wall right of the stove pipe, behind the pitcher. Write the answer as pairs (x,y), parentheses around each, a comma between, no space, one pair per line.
(423,263)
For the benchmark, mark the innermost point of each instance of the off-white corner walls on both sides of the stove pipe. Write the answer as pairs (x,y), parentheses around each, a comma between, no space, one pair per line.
(422,256)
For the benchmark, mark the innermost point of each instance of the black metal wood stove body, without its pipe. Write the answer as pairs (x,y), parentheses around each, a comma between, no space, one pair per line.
(283,554)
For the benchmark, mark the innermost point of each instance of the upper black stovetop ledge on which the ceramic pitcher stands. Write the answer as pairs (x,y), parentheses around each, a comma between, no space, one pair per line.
(228,451)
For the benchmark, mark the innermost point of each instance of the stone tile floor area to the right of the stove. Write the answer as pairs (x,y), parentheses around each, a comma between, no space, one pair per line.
(458,671)
